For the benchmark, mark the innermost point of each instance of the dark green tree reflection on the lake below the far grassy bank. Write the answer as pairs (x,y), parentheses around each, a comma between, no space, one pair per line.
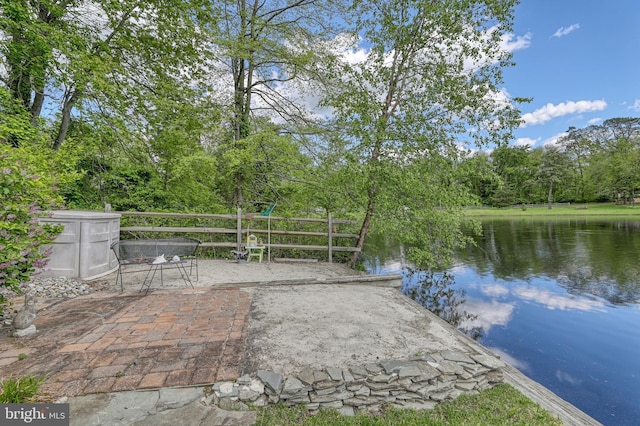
(597,257)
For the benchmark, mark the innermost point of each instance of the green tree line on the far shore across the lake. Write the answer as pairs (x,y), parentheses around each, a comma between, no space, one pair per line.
(593,164)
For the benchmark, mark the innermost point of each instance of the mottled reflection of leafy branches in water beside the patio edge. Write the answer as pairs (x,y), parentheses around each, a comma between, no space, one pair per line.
(438,295)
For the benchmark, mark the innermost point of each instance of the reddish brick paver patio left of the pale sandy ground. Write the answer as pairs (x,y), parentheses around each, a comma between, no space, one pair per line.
(115,342)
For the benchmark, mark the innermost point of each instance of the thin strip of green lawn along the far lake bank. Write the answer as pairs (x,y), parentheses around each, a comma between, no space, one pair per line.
(605,209)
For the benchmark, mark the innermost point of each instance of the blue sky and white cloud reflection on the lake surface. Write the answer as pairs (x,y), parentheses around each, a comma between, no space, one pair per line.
(579,346)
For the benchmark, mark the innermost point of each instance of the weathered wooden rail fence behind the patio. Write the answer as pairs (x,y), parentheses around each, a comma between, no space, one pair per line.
(276,232)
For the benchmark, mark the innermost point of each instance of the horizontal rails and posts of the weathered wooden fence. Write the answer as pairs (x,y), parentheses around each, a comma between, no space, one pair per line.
(326,230)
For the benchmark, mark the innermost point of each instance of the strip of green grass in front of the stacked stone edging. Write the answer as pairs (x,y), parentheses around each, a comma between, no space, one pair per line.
(501,405)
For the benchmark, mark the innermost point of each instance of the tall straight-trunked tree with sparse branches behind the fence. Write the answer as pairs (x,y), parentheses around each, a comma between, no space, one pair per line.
(273,52)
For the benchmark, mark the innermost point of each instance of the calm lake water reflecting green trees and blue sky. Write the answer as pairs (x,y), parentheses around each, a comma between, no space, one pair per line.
(560,301)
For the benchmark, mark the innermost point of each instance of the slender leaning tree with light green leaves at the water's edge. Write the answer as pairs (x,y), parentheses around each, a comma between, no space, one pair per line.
(428,83)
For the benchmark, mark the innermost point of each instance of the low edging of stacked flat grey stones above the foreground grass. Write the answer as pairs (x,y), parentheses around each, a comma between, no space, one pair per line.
(418,383)
